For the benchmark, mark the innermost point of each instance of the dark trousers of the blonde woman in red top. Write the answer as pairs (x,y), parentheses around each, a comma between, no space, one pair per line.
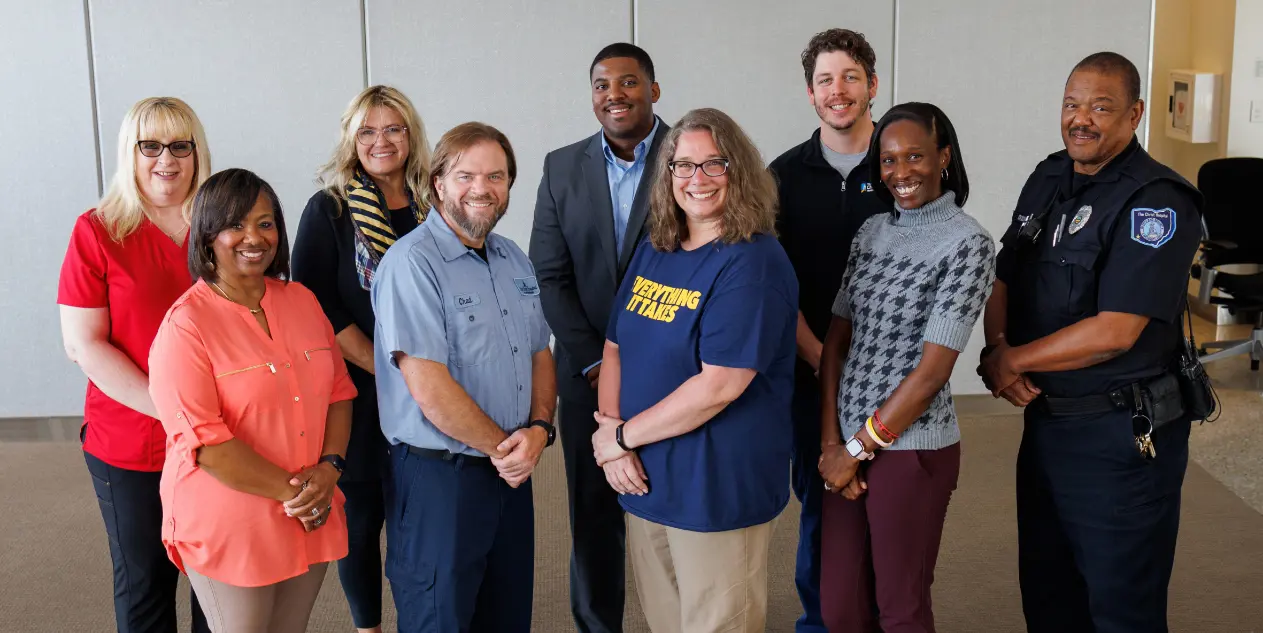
(145,578)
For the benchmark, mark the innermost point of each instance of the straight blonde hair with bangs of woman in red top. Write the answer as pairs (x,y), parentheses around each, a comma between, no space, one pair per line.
(123,208)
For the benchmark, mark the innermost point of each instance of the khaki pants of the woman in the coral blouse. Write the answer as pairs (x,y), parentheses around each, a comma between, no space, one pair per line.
(281,608)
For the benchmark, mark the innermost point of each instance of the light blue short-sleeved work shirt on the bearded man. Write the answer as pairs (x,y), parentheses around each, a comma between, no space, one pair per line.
(436,300)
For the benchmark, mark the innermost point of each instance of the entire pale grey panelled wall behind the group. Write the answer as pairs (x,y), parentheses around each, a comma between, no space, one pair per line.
(271,80)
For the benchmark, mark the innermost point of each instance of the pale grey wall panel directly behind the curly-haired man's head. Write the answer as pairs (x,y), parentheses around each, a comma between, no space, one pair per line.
(746,60)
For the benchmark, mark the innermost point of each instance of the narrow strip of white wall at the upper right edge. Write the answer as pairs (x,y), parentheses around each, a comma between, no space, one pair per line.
(1246,138)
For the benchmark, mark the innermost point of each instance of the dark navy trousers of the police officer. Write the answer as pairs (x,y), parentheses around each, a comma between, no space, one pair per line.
(1097,522)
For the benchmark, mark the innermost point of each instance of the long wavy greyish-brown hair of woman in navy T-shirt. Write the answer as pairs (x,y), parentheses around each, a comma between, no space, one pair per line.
(751,203)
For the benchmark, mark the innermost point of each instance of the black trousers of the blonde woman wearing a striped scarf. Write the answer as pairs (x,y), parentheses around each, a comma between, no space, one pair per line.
(361,572)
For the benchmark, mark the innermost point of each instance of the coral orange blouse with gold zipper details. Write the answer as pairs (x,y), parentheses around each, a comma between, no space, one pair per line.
(215,376)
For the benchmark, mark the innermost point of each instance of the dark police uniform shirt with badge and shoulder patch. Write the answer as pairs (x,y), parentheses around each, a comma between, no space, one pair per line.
(1103,251)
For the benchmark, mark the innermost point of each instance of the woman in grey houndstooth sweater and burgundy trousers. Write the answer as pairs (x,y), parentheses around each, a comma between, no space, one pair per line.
(915,286)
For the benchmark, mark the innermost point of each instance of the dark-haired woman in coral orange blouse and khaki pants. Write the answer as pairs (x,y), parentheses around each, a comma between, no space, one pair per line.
(256,399)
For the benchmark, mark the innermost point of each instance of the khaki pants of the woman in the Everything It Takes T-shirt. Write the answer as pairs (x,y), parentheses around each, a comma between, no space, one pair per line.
(702,582)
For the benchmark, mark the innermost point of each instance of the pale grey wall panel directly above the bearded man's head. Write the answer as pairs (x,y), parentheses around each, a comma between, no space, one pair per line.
(518,66)
